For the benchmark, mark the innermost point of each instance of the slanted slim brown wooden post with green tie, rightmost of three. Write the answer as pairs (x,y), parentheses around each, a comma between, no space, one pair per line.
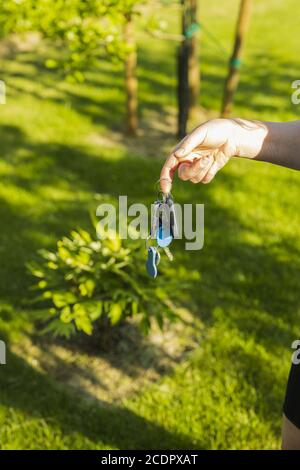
(232,79)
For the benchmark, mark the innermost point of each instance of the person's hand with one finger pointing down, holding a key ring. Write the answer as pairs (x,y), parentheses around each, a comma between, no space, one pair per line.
(203,152)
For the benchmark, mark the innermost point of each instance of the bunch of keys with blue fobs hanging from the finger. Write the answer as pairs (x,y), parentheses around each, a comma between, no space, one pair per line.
(163,231)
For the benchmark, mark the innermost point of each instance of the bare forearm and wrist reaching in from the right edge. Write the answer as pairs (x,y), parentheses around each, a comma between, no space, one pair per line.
(272,142)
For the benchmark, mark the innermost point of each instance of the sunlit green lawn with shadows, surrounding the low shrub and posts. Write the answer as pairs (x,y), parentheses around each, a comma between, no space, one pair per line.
(228,392)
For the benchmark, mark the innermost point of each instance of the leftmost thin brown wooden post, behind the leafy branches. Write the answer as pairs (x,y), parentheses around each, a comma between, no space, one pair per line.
(130,77)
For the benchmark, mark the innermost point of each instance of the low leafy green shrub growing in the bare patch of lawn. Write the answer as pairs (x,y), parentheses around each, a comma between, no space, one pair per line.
(86,280)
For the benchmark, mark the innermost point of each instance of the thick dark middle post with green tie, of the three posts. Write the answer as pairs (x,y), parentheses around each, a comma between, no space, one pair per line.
(188,67)
